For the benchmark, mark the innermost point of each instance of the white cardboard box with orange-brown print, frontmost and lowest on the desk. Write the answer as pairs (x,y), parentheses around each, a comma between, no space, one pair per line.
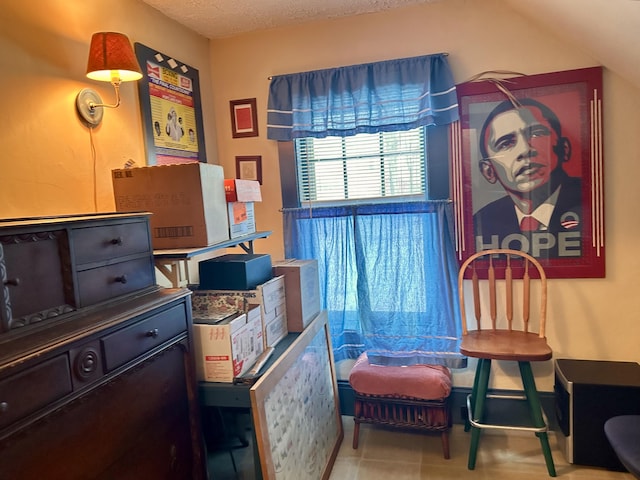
(228,348)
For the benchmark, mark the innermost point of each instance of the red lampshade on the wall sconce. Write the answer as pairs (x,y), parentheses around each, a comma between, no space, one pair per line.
(111,57)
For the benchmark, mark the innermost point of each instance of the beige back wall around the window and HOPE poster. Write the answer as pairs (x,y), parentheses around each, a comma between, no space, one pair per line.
(589,318)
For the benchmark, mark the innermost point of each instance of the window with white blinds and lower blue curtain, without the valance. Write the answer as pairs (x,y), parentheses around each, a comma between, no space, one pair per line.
(375,216)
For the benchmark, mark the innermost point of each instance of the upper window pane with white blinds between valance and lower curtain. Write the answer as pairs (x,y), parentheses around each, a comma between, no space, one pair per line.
(364,166)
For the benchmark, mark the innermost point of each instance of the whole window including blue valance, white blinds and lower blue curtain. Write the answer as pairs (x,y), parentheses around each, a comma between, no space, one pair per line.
(370,205)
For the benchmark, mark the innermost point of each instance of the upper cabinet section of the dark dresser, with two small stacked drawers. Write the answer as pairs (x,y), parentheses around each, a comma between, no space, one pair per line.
(53,266)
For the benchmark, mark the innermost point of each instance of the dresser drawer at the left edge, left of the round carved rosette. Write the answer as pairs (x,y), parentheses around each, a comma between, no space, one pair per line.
(34,388)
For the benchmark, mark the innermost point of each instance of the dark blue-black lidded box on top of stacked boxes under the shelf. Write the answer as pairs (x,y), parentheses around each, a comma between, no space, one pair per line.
(235,271)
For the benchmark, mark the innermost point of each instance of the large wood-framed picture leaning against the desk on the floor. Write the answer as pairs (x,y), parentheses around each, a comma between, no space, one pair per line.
(296,409)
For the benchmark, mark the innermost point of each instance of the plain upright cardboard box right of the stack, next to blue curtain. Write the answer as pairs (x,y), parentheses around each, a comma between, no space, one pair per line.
(302,287)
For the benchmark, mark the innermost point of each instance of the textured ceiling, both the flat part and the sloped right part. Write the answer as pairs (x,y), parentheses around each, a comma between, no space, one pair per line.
(608,30)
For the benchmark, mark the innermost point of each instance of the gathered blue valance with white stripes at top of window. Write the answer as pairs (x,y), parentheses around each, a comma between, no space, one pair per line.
(392,95)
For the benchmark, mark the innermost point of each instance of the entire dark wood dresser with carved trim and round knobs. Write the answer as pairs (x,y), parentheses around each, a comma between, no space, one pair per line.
(96,370)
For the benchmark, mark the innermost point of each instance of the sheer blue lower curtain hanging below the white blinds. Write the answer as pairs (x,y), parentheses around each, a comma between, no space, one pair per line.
(388,277)
